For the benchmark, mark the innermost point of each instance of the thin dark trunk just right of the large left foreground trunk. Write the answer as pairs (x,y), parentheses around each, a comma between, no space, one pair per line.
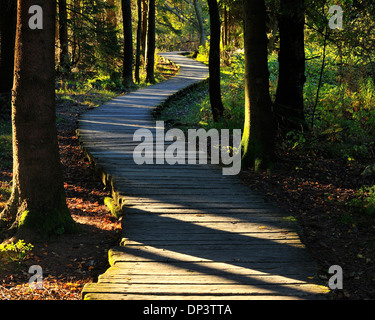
(63,36)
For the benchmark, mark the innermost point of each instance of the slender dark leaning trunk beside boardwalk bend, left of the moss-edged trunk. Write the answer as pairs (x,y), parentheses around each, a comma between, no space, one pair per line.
(214,63)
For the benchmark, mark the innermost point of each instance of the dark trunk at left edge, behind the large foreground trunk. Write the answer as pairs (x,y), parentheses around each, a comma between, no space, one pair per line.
(8,23)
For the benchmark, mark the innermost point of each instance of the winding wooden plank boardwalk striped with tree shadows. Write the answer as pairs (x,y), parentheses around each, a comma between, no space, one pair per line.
(188,231)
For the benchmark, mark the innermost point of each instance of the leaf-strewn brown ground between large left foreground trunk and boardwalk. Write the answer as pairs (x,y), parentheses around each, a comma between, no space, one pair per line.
(70,260)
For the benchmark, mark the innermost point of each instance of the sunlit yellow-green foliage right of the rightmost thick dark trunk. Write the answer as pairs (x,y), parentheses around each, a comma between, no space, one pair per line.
(344,112)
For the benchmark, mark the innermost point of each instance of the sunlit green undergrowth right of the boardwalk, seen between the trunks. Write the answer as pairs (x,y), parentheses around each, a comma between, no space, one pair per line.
(341,119)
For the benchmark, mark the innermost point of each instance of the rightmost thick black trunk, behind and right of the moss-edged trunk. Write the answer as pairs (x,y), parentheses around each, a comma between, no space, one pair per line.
(289,105)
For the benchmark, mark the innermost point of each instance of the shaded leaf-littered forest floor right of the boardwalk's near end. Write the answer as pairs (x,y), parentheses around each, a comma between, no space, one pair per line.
(317,192)
